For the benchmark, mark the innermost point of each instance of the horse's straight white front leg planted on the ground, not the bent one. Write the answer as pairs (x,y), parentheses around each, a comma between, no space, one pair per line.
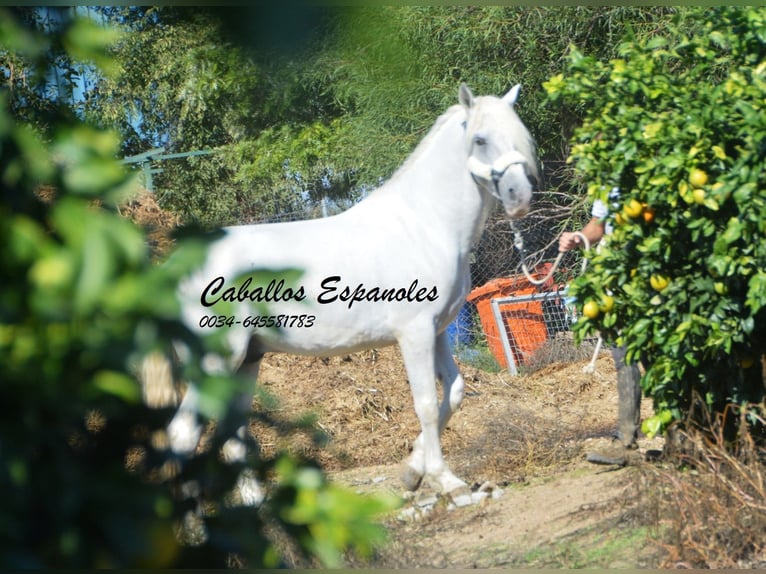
(426,460)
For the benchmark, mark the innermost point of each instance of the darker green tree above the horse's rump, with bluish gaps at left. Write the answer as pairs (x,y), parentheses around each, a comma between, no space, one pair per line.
(188,85)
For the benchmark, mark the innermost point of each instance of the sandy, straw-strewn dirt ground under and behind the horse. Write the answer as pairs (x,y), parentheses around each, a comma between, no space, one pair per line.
(527,435)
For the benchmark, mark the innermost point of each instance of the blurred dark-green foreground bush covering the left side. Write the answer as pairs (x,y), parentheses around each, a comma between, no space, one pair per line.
(81,303)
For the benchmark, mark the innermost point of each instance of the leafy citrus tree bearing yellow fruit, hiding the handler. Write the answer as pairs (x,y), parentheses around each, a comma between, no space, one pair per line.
(674,141)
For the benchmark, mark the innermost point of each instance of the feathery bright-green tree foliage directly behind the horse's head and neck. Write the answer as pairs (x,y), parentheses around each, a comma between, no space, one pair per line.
(393,69)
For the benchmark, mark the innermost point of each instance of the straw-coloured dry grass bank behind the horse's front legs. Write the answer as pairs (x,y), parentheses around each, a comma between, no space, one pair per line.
(507,428)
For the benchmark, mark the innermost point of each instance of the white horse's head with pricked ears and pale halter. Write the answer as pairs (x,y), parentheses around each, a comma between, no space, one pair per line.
(501,154)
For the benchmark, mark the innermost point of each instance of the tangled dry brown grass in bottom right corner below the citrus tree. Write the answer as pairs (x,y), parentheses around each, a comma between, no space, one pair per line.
(709,501)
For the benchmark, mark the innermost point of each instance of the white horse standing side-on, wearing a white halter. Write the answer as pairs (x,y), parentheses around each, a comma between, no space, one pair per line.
(392,269)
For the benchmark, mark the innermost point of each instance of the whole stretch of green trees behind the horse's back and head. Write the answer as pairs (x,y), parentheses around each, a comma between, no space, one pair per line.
(332,105)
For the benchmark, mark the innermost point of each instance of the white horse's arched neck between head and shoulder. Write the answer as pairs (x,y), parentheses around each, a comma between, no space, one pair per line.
(437,187)
